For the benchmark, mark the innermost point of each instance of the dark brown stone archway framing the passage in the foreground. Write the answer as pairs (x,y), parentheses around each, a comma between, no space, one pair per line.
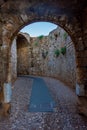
(15,16)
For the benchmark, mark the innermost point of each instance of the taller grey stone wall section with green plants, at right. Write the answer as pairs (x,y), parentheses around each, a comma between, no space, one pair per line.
(63,66)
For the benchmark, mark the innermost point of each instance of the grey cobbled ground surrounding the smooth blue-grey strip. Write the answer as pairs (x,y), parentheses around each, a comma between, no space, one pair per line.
(65,116)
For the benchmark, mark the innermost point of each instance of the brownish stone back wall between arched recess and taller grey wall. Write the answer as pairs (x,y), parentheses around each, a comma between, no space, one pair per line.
(38,64)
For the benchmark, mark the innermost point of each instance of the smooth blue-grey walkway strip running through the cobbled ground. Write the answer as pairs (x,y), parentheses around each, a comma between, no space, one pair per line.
(41,99)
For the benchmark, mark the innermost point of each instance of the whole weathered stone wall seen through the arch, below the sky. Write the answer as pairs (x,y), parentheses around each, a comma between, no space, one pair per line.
(39,56)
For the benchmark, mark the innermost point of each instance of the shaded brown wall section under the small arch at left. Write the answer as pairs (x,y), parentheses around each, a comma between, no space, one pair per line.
(23,62)
